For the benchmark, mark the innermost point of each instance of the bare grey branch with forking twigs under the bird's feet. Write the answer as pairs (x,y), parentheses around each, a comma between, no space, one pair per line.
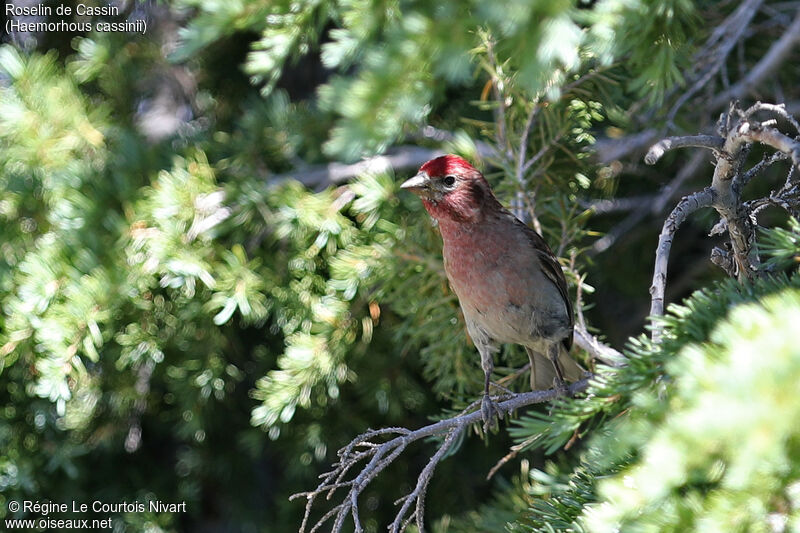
(376,456)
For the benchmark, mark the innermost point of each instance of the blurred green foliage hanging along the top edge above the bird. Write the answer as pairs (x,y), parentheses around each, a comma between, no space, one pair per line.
(394,61)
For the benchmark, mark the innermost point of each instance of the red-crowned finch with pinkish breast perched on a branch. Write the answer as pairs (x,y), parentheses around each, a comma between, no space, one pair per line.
(508,282)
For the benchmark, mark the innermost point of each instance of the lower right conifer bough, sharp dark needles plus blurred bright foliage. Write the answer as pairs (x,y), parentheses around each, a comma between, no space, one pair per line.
(691,434)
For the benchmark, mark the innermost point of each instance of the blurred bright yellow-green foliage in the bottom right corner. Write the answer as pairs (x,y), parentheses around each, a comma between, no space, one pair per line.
(721,453)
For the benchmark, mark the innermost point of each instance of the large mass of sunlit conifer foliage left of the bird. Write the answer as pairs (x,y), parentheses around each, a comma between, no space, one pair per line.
(142,311)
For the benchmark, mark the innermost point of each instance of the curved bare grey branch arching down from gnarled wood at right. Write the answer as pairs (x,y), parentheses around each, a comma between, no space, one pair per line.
(685,207)
